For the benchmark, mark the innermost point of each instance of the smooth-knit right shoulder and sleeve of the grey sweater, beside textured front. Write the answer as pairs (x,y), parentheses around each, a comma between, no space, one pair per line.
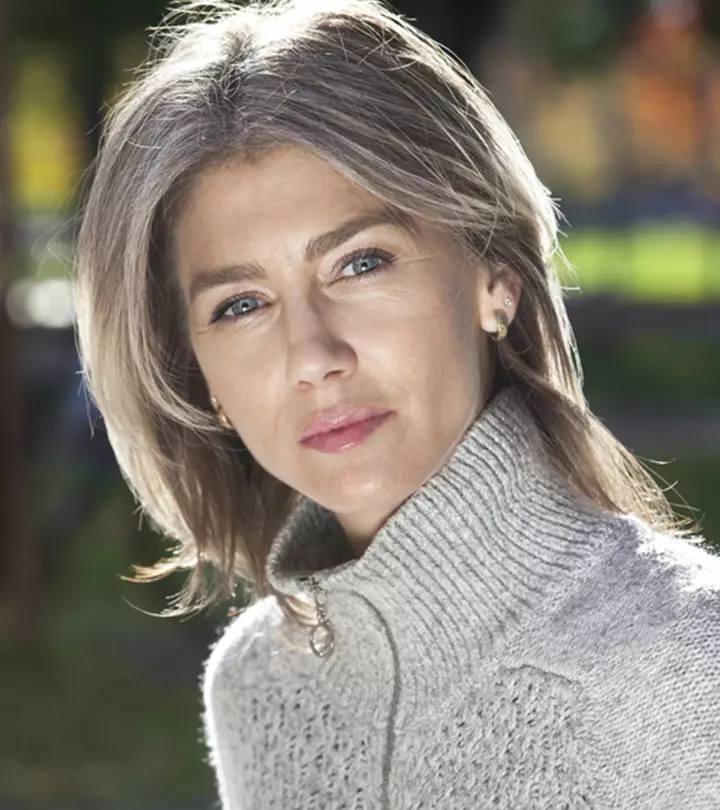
(646,644)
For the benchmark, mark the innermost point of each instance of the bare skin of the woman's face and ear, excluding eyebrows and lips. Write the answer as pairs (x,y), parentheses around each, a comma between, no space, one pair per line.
(407,336)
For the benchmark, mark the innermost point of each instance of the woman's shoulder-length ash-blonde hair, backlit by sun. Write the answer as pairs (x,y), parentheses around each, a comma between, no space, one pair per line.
(385,105)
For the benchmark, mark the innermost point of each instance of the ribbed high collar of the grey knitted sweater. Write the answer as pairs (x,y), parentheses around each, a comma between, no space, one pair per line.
(486,541)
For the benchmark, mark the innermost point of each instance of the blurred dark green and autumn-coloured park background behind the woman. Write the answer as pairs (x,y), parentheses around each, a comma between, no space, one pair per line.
(617,103)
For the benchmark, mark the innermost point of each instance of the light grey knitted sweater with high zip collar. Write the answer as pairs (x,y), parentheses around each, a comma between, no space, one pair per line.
(502,643)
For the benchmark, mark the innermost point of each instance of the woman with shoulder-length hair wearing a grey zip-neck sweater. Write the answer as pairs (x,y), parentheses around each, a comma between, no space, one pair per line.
(318,309)
